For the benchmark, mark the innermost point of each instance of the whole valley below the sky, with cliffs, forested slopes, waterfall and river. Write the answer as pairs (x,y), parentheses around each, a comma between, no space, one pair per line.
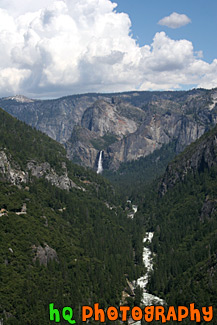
(101,191)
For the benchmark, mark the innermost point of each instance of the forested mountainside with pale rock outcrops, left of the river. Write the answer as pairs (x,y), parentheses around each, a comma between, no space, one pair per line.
(64,236)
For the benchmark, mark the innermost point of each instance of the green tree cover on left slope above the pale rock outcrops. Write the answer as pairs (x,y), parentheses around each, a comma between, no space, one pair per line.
(25,143)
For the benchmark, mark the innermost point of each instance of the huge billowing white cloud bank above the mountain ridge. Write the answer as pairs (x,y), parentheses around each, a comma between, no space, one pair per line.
(54,48)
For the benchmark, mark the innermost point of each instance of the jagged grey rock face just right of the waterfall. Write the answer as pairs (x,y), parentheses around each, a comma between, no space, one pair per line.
(152,134)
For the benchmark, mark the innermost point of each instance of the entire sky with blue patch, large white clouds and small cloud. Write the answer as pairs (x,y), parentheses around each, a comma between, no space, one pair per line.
(53,48)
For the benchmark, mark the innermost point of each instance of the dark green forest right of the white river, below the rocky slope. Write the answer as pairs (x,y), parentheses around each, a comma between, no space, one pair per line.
(185,241)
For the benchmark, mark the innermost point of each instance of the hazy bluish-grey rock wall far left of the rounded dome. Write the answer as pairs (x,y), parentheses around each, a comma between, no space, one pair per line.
(56,118)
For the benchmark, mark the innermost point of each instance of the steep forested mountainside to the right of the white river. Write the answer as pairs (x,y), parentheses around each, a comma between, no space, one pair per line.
(181,209)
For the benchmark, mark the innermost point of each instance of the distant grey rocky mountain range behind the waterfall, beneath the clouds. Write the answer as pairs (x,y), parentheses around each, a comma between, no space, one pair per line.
(125,126)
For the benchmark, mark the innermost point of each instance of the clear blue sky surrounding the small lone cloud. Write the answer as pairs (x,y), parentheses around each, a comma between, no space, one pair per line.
(202,31)
